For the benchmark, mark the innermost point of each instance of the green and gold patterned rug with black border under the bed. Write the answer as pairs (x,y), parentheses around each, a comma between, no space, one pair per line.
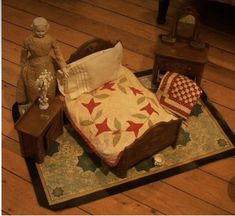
(71,174)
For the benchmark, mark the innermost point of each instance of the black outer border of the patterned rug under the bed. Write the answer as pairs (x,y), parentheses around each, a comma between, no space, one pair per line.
(41,196)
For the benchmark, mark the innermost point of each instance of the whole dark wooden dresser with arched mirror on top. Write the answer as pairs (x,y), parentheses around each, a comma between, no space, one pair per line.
(181,50)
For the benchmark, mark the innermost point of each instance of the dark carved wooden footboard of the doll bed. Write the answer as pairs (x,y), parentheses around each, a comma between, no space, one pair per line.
(155,139)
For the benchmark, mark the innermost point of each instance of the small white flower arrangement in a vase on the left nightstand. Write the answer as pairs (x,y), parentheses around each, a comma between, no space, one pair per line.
(43,83)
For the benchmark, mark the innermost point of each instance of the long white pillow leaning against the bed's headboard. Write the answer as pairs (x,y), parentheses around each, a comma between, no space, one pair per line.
(92,71)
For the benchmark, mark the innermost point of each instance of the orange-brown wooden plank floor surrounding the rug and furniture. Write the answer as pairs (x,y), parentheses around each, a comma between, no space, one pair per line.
(199,191)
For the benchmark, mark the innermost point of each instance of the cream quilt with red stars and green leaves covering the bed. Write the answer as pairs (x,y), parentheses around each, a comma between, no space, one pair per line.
(115,115)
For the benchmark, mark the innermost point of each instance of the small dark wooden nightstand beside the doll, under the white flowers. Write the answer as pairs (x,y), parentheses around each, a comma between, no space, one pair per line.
(36,129)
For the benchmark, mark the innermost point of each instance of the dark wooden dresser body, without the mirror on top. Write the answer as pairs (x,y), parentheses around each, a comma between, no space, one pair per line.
(179,58)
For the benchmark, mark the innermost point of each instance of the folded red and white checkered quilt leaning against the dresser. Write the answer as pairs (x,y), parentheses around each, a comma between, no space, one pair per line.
(178,94)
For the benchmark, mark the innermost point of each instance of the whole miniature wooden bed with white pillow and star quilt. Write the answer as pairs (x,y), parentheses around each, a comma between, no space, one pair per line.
(120,120)
